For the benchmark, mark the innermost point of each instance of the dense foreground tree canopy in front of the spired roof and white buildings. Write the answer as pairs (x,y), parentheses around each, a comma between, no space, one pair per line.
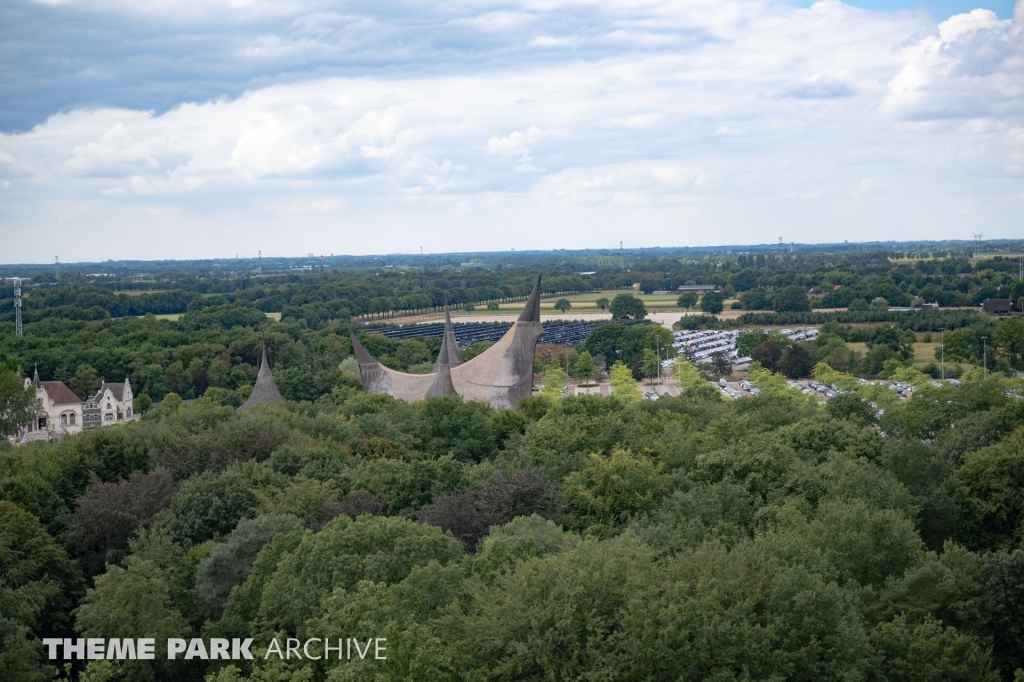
(576,538)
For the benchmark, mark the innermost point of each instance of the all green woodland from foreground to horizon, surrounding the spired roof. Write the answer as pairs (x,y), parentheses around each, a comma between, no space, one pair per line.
(602,538)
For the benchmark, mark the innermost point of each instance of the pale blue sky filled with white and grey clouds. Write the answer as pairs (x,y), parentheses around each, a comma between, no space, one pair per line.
(209,129)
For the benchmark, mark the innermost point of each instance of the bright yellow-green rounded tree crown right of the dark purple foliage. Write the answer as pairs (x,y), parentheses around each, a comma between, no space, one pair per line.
(612,491)
